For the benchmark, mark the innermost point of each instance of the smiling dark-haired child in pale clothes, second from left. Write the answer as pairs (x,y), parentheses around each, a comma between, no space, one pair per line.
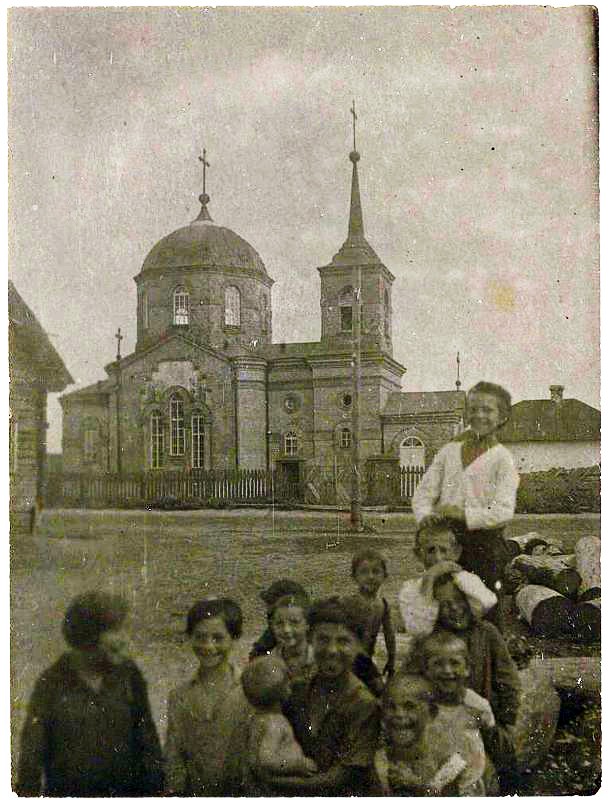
(204,713)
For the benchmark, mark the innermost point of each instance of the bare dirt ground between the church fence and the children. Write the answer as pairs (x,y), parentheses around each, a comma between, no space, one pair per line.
(165,561)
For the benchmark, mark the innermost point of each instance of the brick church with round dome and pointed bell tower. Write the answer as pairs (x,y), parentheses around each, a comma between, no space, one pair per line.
(207,388)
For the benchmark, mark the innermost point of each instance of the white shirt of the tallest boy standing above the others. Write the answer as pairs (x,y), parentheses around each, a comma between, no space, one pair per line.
(485,490)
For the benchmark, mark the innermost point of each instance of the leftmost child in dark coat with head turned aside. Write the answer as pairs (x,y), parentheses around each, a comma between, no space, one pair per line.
(89,730)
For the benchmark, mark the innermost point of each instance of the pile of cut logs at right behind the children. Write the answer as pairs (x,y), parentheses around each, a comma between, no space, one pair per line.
(558,594)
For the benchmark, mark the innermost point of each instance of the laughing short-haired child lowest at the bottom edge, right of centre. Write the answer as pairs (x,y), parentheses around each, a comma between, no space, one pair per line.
(409,765)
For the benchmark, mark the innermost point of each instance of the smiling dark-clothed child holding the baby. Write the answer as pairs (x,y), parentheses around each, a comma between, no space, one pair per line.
(334,716)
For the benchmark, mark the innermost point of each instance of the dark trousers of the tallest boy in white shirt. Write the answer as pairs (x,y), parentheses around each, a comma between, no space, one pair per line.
(485,553)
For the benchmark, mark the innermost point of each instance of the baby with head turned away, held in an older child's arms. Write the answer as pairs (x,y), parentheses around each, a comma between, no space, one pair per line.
(272,748)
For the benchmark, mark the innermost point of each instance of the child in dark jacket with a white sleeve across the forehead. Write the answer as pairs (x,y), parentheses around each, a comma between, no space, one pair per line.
(492,673)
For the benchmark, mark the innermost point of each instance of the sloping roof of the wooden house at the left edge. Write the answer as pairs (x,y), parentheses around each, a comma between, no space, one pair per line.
(28,338)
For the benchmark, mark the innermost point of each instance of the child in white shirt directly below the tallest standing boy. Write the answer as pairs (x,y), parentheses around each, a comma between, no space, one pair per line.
(437,548)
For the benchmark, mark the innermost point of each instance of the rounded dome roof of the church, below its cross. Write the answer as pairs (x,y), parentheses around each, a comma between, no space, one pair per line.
(203,244)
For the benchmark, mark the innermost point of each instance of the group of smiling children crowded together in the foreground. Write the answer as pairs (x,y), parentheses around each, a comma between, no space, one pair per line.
(311,714)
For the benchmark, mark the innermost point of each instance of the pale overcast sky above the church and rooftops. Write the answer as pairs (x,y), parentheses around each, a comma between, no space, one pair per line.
(478,134)
